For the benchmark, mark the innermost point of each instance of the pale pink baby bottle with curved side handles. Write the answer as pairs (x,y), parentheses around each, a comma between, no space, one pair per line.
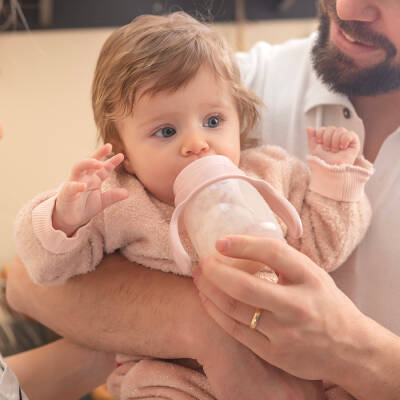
(214,198)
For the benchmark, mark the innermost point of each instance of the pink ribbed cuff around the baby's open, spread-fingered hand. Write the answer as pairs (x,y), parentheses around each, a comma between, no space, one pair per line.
(53,240)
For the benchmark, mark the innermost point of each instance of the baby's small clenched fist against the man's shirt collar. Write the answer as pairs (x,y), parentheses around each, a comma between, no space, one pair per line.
(334,145)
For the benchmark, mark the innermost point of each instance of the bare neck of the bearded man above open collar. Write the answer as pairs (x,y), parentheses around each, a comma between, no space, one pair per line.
(381,117)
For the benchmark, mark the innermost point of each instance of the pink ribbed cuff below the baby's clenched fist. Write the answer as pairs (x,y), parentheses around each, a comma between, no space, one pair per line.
(339,182)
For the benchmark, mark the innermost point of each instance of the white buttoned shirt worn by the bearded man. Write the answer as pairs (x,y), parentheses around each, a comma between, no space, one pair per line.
(283,77)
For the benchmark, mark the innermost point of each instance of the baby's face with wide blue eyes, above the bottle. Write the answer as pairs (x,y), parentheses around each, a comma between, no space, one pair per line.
(171,129)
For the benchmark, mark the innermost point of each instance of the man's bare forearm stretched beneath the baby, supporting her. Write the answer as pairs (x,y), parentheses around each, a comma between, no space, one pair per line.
(125,308)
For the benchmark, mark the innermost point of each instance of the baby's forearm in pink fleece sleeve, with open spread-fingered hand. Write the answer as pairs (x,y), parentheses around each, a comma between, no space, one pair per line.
(61,234)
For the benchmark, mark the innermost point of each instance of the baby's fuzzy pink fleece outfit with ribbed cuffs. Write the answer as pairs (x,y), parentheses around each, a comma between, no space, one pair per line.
(330,200)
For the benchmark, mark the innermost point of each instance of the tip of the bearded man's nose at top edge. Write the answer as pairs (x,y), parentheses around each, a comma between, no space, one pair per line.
(358,10)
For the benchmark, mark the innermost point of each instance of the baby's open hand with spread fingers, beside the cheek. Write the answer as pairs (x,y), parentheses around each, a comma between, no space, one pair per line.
(80,199)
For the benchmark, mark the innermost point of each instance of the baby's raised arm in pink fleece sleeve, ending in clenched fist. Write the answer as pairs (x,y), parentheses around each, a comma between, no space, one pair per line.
(331,201)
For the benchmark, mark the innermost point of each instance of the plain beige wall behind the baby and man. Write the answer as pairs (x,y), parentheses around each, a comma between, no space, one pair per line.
(45,80)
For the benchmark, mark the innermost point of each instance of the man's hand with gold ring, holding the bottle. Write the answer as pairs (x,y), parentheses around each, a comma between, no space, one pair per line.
(308,327)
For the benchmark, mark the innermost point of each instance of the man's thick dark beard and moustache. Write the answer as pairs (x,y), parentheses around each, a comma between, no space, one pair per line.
(340,72)
